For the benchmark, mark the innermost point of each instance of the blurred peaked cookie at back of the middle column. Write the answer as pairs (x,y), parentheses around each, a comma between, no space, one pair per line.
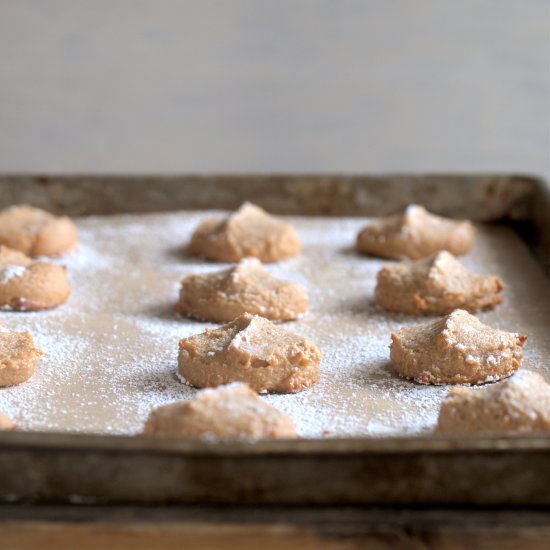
(250,231)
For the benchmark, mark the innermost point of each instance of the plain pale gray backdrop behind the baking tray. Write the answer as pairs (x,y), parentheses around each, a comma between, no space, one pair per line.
(352,86)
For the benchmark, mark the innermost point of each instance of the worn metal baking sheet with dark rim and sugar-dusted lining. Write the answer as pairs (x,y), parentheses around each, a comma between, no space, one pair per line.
(140,335)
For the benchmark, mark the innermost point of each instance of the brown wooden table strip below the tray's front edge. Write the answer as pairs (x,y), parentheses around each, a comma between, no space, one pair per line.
(120,528)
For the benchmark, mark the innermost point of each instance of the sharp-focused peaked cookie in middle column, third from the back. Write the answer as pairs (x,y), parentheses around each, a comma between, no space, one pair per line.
(250,349)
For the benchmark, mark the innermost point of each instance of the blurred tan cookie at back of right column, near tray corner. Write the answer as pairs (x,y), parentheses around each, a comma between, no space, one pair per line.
(415,234)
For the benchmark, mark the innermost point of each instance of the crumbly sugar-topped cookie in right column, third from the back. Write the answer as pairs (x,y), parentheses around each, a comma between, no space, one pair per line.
(457,349)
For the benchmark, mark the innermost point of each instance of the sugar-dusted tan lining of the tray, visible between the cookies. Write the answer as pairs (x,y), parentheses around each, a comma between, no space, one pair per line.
(111,351)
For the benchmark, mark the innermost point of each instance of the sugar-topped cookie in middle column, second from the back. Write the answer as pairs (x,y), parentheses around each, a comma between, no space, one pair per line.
(244,288)
